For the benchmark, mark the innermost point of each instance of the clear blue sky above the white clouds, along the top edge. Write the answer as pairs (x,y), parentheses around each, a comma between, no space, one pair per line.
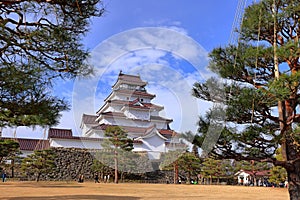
(207,22)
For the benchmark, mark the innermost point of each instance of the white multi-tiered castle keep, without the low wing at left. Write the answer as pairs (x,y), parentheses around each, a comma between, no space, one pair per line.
(130,106)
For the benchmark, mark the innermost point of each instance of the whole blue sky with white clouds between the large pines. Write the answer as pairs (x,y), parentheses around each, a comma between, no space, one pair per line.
(165,42)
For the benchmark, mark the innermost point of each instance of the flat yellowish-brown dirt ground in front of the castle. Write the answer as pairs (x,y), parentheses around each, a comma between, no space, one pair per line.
(110,191)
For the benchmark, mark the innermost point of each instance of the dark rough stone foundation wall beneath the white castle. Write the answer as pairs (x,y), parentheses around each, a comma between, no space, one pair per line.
(71,163)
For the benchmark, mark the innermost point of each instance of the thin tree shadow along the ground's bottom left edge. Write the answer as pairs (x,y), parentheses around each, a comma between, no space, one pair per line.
(71,197)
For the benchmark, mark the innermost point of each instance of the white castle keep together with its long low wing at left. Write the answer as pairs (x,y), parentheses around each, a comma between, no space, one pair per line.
(129,106)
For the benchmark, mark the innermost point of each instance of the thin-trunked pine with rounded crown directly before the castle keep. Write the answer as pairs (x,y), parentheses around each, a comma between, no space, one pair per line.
(119,141)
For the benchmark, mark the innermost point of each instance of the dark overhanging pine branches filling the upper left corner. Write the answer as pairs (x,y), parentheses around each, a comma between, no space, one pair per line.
(40,42)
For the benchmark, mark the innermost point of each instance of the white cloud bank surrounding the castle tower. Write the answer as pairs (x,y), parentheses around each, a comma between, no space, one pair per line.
(169,60)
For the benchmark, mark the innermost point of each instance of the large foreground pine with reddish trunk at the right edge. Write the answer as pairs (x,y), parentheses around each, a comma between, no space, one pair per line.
(262,96)
